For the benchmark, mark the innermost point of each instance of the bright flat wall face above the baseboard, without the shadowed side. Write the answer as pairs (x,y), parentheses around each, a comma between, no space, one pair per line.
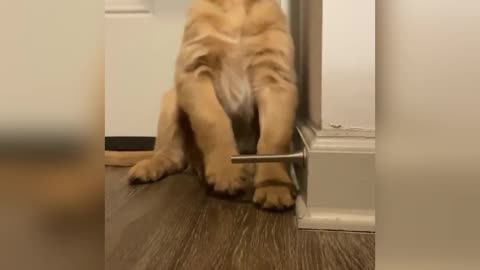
(348,64)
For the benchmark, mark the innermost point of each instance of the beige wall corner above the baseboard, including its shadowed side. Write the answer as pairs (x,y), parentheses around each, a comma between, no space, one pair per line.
(336,62)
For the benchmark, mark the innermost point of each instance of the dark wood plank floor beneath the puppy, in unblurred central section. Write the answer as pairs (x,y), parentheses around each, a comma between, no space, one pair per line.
(174,224)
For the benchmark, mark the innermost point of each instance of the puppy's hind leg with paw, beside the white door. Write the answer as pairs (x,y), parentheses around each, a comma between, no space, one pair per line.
(169,152)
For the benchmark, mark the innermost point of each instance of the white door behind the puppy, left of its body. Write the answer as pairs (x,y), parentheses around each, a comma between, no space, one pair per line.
(140,59)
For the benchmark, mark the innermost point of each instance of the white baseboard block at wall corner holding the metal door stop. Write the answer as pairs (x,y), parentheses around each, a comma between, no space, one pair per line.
(337,186)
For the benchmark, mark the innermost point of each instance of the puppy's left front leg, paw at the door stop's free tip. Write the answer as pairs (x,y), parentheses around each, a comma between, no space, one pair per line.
(213,133)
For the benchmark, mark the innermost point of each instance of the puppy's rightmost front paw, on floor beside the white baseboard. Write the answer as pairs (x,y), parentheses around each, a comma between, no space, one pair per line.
(274,197)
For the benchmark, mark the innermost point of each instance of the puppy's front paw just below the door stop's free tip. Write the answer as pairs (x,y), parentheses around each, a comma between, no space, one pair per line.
(228,179)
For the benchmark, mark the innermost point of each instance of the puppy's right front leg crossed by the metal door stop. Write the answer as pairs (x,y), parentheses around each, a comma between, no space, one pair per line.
(276,101)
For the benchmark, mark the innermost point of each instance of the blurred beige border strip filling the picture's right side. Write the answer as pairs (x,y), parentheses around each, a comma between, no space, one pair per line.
(428,147)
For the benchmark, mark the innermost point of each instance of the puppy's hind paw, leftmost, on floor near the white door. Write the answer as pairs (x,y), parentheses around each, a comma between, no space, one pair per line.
(148,171)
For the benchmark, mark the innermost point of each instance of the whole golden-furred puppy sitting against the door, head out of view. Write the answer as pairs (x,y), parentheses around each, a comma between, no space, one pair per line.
(235,93)
